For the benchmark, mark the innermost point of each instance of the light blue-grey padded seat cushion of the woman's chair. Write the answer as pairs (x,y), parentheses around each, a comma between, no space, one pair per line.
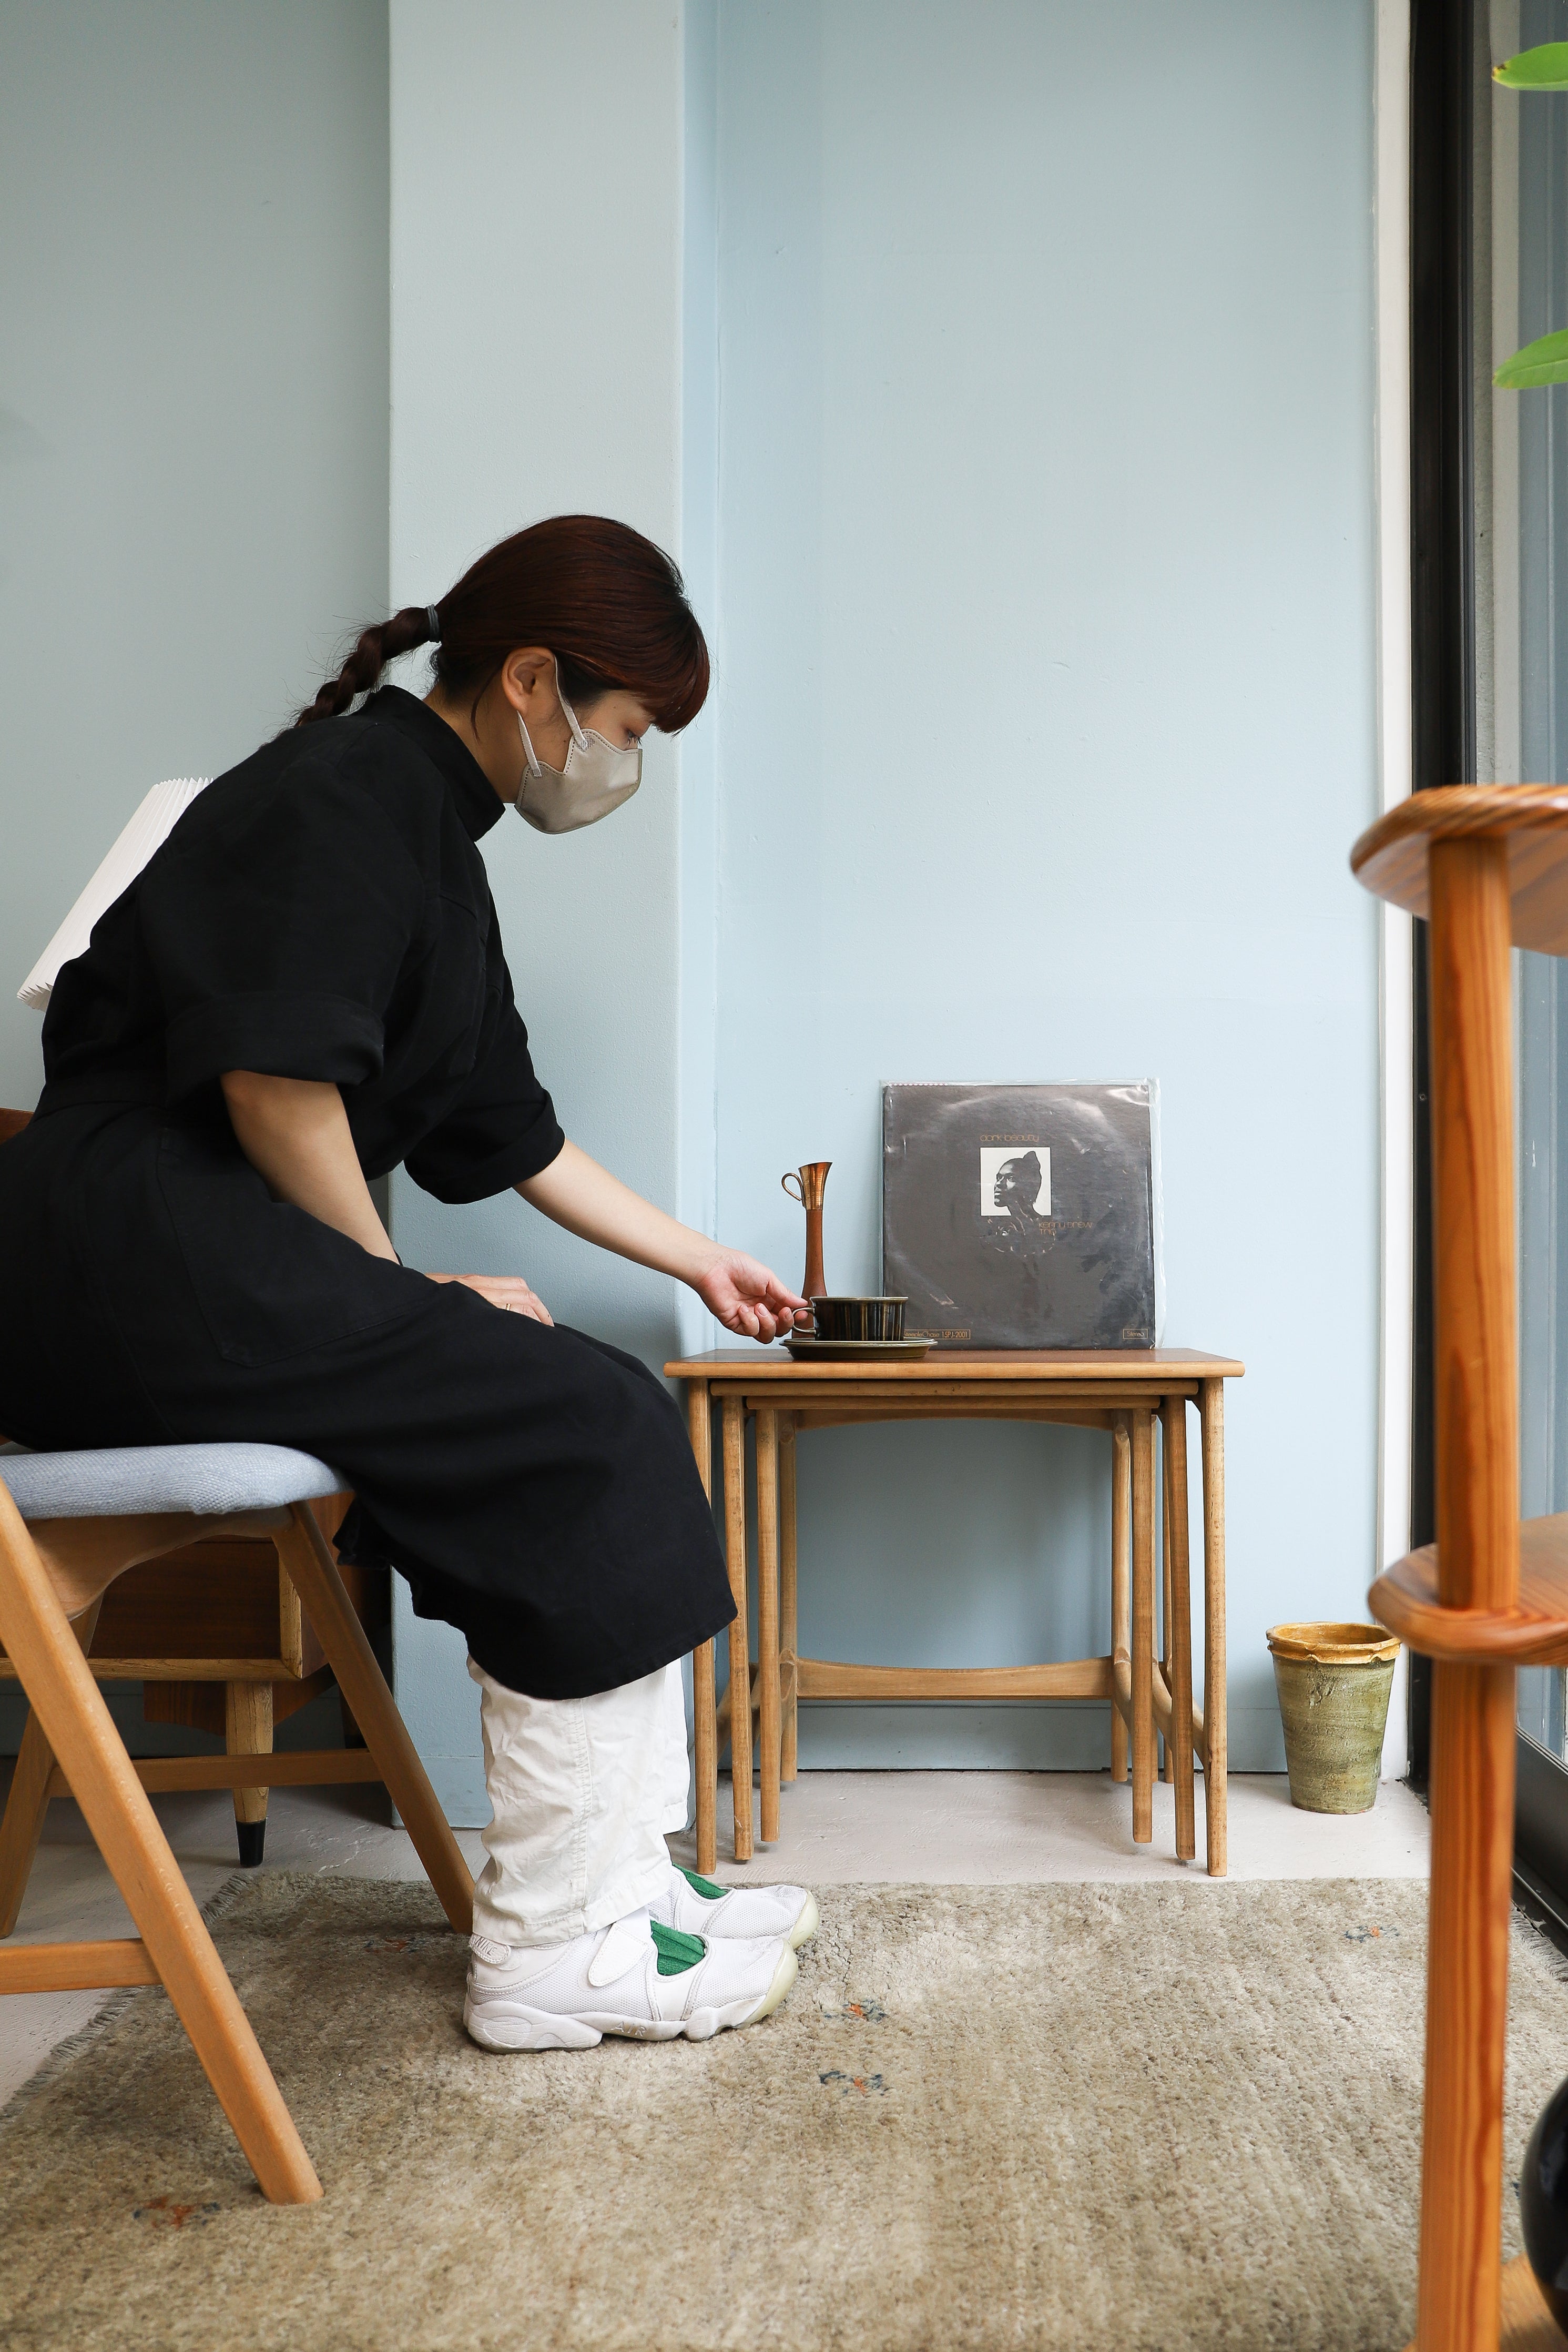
(133,1481)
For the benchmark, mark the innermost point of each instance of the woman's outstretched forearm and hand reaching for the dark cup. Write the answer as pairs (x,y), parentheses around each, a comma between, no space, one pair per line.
(577,1194)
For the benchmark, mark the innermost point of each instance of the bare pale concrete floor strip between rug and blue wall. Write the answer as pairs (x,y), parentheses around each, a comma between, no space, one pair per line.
(949,1829)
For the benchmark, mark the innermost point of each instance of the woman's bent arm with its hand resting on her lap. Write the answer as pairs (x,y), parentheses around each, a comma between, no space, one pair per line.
(295,1135)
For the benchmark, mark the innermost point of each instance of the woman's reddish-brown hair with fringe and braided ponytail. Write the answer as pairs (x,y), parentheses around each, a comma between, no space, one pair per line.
(603,599)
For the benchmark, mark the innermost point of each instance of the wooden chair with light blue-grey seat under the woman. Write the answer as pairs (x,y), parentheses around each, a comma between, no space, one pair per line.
(69,1528)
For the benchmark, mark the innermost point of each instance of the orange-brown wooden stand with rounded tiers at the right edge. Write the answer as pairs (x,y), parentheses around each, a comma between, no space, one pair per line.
(1489,869)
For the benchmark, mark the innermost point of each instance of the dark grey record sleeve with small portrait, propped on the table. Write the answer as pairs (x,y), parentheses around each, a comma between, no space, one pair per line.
(1021,1217)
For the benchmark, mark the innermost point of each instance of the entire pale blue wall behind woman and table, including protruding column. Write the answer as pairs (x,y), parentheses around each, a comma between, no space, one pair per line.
(1003,377)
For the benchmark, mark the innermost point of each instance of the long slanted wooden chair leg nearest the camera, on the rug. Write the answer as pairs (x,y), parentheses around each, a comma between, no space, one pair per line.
(81,1732)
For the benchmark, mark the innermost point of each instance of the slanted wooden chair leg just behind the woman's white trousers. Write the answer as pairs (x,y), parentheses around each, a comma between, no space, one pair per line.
(354,1662)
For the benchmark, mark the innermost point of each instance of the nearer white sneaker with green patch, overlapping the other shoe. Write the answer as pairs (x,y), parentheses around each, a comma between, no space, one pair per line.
(638,1977)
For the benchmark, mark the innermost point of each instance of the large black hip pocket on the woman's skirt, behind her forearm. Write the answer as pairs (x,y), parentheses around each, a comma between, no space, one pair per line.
(269,1278)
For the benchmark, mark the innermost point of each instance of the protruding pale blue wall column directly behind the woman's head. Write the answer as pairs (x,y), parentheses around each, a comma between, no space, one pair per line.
(537,368)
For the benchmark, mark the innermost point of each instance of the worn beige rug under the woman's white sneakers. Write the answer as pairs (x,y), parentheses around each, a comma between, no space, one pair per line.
(989,2118)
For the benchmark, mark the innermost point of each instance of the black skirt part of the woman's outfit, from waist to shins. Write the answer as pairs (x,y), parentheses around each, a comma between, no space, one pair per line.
(532,1483)
